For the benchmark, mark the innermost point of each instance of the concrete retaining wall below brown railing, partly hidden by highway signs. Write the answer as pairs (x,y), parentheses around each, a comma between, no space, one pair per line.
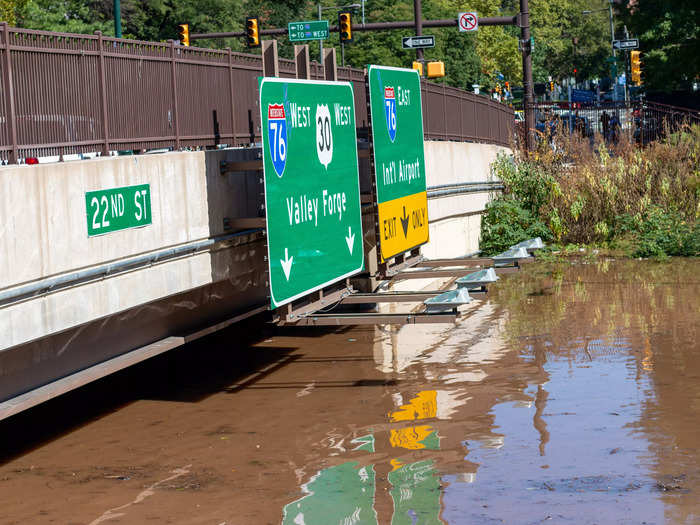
(43,236)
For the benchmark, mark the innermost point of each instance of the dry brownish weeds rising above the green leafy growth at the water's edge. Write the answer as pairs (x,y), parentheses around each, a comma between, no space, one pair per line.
(589,187)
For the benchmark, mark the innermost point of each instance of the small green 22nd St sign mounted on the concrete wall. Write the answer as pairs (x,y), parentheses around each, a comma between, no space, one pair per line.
(117,209)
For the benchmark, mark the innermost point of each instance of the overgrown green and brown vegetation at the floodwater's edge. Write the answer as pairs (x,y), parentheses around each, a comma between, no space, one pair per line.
(640,202)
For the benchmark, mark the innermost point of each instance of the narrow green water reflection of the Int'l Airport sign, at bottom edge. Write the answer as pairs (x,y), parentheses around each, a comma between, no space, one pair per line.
(416,494)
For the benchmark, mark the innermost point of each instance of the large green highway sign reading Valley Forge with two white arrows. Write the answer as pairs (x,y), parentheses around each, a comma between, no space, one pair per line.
(312,185)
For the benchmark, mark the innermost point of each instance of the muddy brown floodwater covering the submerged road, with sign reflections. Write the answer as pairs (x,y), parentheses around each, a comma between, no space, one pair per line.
(570,395)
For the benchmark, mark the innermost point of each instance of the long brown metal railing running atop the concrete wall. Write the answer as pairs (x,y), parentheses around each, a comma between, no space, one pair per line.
(68,93)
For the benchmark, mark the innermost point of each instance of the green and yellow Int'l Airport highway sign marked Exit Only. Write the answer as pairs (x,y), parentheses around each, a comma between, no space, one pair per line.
(399,160)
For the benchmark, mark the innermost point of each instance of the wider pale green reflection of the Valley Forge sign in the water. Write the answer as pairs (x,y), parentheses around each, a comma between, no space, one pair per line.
(341,494)
